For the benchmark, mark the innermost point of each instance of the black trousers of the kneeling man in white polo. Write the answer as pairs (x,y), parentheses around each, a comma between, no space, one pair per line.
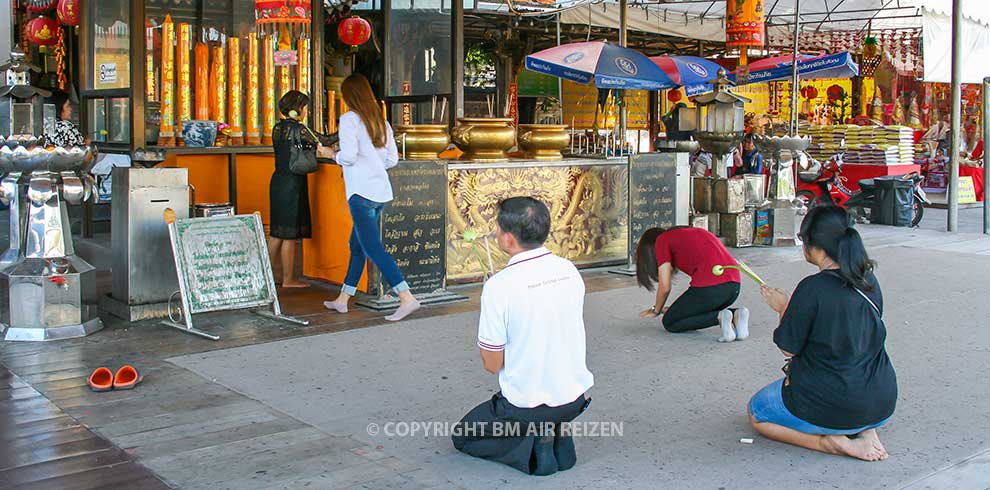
(527,439)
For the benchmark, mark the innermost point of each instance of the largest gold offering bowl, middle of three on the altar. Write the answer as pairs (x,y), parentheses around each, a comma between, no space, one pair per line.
(484,139)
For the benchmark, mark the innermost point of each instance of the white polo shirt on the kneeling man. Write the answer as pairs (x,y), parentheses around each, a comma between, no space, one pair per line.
(534,311)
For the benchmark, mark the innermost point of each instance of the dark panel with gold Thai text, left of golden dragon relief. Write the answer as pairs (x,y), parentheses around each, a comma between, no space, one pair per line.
(414,224)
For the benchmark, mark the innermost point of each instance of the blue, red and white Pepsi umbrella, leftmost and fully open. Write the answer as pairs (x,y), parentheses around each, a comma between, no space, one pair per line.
(605,65)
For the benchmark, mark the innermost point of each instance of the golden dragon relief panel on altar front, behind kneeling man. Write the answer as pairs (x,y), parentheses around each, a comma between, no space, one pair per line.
(588,212)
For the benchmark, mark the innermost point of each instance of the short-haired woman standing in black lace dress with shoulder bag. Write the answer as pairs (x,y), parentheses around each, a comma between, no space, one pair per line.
(289,192)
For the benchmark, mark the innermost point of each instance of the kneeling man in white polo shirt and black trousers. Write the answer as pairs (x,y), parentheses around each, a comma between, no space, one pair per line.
(531,333)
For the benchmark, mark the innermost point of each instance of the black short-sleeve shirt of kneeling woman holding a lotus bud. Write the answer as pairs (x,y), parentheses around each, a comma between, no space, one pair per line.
(840,376)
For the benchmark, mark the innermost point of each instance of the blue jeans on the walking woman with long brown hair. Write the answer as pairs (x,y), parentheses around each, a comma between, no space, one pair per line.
(365,243)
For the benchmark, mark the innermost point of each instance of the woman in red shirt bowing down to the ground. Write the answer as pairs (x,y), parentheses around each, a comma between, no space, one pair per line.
(706,303)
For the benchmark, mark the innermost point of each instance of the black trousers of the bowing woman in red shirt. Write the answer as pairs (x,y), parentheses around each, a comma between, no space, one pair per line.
(698,308)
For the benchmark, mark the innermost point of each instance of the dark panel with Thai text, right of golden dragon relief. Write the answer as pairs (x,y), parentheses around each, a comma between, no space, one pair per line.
(652,193)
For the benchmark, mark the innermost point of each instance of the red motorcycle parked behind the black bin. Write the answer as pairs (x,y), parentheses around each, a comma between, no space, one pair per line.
(823,184)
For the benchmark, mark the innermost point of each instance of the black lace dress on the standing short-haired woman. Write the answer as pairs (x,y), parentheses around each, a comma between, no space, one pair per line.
(289,193)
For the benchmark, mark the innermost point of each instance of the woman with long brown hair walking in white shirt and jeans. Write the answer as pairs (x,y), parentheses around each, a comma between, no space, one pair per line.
(367,150)
